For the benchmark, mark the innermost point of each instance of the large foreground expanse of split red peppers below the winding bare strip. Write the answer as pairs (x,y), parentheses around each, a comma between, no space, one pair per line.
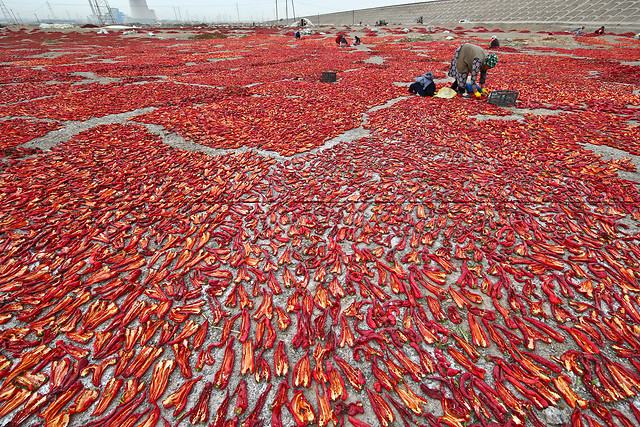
(203,251)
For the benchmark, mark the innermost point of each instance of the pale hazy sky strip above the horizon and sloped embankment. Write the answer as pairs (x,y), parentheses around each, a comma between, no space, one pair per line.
(192,10)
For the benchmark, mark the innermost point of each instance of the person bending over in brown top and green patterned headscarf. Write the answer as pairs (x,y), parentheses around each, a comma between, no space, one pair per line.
(470,60)
